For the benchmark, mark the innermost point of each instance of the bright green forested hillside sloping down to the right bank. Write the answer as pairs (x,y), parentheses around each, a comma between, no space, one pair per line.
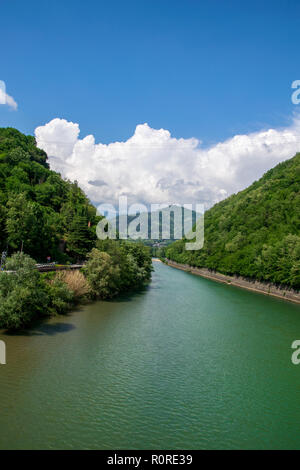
(255,233)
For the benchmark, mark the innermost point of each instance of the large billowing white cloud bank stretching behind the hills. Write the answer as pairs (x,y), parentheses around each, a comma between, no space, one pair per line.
(154,167)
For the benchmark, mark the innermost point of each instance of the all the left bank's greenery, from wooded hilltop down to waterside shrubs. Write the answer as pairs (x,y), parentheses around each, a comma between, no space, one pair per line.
(43,215)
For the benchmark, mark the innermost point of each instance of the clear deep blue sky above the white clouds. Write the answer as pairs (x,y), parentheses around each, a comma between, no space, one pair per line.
(204,69)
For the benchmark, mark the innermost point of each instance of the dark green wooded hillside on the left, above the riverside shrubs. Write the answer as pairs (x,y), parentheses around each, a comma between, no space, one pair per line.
(39,211)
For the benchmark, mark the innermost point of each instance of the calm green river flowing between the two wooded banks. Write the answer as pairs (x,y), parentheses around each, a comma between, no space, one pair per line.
(186,364)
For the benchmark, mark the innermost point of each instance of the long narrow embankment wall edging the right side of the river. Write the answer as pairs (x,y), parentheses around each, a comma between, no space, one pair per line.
(239,281)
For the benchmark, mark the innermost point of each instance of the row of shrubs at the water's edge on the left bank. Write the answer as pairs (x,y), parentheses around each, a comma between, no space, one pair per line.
(111,268)
